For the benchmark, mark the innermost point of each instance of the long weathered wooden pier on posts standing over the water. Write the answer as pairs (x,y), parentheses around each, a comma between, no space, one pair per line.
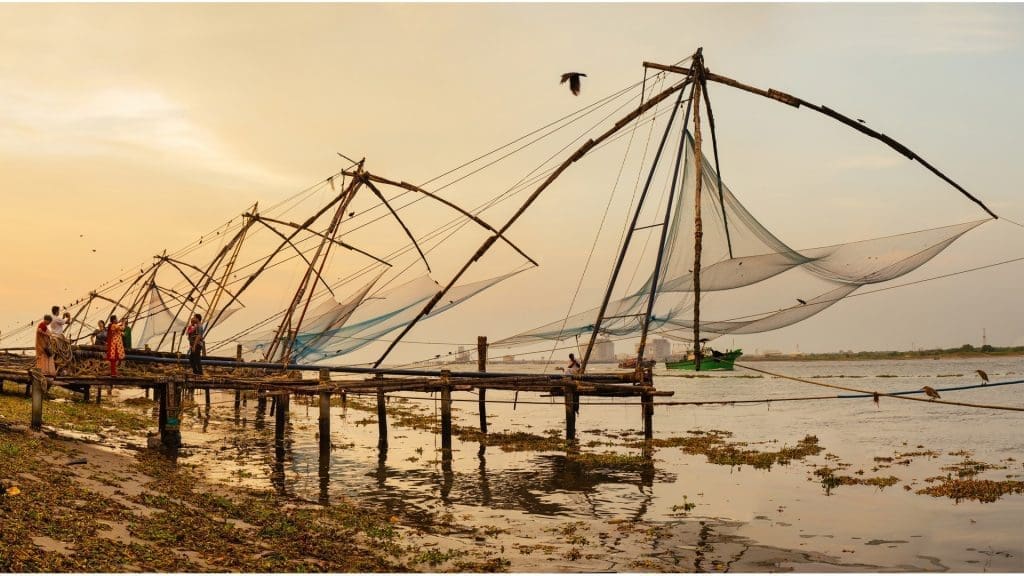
(167,378)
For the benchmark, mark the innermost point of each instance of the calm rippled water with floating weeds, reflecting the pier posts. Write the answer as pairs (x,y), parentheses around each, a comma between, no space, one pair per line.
(786,508)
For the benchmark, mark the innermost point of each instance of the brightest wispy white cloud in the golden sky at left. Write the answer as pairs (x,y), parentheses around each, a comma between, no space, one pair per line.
(130,125)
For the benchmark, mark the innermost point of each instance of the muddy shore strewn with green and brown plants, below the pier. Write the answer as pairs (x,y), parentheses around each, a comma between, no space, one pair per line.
(100,501)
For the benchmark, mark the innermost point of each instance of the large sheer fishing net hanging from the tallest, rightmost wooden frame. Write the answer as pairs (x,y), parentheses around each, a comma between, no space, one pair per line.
(743,262)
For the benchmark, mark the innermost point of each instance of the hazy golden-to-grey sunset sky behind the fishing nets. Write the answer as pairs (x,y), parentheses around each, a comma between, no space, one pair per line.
(126,130)
